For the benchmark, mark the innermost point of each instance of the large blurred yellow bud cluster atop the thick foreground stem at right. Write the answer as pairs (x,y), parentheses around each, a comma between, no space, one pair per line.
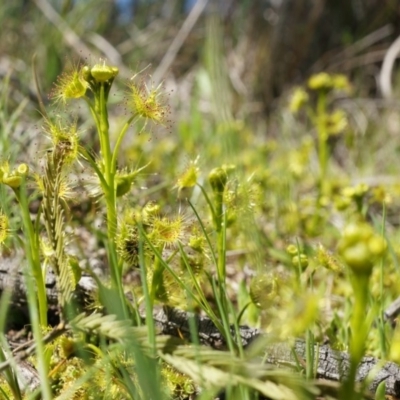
(360,247)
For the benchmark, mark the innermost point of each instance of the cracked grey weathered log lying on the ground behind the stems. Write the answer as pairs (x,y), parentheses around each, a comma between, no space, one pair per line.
(332,365)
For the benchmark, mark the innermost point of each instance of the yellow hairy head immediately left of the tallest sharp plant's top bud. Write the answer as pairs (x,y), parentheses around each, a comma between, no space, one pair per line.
(70,85)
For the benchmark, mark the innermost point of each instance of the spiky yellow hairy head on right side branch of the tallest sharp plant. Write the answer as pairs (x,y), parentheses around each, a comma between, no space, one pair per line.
(147,102)
